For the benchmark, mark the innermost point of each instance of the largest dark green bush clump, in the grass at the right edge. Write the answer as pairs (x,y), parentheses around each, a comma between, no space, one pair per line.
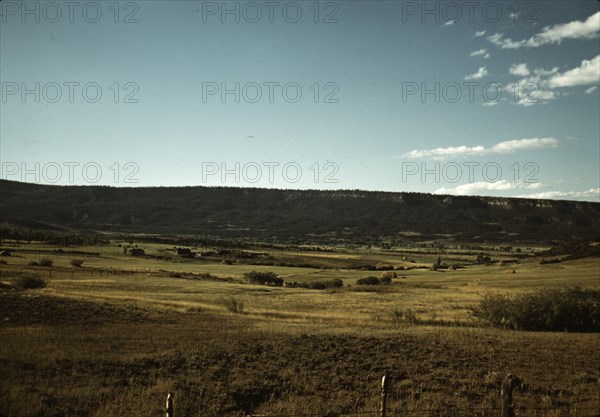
(573,309)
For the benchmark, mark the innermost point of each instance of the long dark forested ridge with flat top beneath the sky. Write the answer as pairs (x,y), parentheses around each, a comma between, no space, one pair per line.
(294,214)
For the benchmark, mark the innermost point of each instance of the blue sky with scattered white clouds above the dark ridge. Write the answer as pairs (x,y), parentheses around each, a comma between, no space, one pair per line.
(469,98)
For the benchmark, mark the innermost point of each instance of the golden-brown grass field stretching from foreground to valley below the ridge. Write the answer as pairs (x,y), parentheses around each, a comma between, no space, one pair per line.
(114,337)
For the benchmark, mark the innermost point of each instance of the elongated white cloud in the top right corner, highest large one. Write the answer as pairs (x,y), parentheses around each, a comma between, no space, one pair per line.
(588,29)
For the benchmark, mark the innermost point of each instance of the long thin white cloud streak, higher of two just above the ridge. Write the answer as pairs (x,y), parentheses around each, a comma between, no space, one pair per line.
(499,148)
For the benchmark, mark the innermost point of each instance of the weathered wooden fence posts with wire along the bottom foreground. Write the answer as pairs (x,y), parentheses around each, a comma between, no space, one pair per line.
(507,408)
